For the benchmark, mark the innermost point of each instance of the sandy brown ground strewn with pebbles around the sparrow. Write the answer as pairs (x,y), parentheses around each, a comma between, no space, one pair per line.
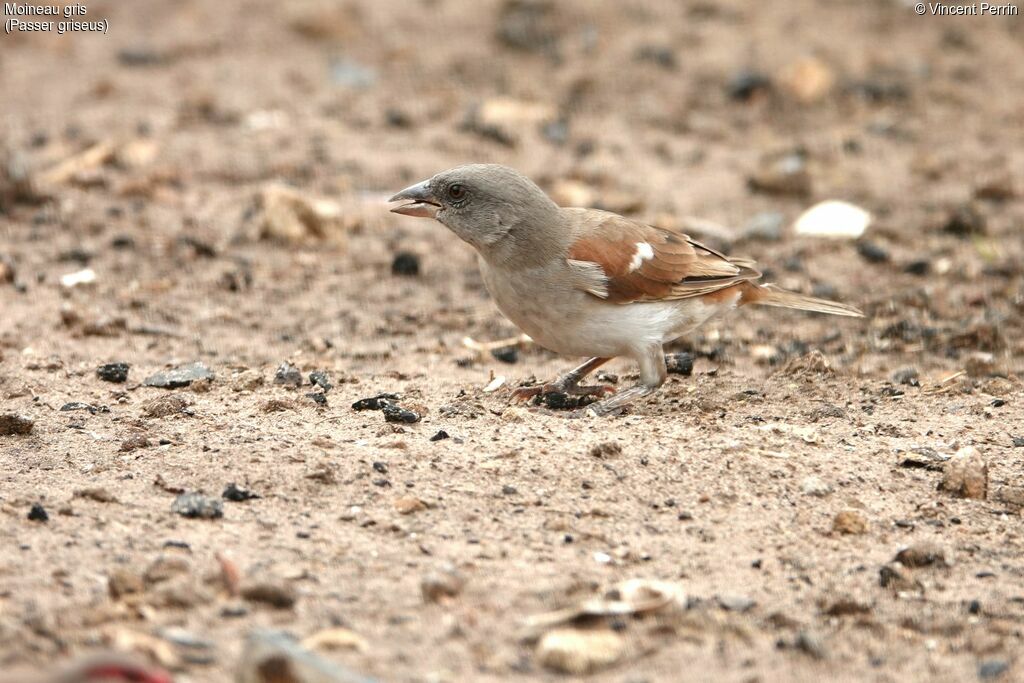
(728,483)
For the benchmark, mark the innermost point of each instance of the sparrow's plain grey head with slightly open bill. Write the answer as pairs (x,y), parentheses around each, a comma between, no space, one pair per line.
(494,208)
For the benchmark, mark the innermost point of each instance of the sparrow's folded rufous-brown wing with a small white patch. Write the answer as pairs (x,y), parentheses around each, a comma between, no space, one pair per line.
(623,262)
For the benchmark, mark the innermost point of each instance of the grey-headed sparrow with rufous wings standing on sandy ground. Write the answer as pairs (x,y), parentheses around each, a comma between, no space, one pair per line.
(589,283)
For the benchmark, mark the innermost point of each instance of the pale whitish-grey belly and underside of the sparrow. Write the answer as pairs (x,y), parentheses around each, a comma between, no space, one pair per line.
(571,322)
